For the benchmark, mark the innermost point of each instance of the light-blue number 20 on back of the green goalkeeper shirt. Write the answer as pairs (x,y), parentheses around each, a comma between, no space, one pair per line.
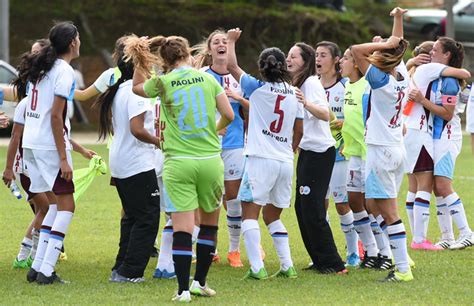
(196,96)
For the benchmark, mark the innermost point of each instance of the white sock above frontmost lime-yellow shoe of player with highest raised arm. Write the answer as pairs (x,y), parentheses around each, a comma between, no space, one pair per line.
(398,243)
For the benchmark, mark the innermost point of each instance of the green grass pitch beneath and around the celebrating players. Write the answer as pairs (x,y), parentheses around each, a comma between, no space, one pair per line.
(440,278)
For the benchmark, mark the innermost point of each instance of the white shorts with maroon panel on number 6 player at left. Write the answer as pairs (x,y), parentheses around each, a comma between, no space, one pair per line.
(43,169)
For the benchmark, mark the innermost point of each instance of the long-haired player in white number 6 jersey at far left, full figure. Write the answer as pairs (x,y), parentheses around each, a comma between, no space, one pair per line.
(46,142)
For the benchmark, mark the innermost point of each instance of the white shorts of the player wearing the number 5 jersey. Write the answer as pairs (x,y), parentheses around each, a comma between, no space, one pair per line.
(266,181)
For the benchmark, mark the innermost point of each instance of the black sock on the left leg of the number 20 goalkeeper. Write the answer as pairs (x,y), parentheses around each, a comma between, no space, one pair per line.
(182,255)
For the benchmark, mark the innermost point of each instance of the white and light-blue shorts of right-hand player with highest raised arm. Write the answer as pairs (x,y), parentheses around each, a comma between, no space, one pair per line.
(384,169)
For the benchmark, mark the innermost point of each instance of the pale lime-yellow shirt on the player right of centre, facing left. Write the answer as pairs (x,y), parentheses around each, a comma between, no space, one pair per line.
(354,123)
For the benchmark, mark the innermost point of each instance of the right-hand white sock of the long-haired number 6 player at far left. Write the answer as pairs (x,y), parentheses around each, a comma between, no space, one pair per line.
(55,243)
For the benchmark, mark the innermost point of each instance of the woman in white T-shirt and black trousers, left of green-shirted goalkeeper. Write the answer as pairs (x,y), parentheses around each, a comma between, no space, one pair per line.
(132,165)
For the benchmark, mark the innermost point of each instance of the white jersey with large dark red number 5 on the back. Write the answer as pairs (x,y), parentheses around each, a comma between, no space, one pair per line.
(273,111)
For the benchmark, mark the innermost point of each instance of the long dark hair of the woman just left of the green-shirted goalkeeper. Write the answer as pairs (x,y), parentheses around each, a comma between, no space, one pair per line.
(105,101)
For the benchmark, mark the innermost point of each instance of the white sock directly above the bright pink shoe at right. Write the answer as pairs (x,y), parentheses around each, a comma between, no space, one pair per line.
(421,215)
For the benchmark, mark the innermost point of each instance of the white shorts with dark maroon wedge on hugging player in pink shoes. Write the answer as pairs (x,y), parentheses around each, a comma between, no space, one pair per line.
(419,151)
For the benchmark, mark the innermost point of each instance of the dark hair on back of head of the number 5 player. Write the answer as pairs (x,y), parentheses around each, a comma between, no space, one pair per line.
(272,66)
